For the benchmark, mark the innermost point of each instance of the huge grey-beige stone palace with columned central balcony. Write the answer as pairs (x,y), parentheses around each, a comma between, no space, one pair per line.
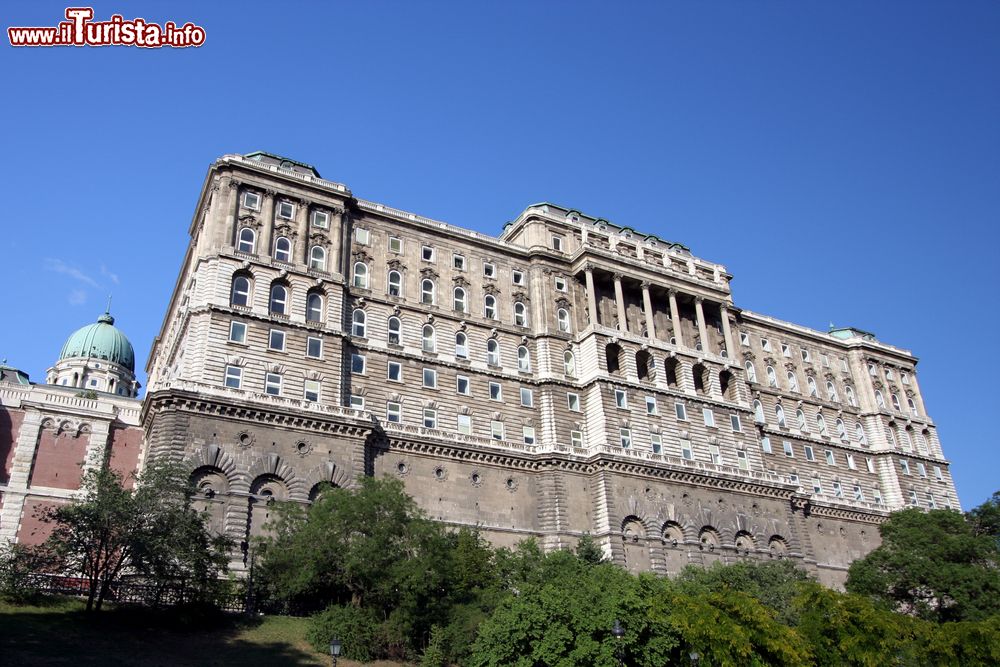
(569,376)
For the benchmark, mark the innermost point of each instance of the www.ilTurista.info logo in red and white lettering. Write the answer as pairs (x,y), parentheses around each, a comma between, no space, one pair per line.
(80,30)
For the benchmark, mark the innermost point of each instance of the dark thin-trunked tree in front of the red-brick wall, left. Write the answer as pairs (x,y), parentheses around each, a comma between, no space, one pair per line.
(151,531)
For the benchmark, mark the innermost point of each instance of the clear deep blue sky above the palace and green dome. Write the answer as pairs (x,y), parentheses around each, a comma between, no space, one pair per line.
(841,159)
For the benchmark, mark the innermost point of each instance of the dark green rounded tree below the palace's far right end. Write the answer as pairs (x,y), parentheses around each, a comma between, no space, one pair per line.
(932,565)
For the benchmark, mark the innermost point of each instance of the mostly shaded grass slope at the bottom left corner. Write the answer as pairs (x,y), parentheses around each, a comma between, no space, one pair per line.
(57,631)
